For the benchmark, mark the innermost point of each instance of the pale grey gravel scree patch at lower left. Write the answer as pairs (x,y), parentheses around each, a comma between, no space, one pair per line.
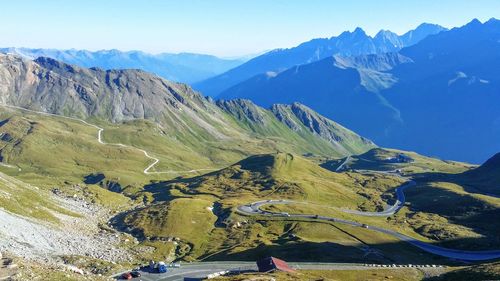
(34,240)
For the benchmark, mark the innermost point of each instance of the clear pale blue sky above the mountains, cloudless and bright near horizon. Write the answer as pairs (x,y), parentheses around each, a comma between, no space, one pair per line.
(220,27)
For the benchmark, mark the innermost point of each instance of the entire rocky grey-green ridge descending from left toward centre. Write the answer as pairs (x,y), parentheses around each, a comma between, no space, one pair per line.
(51,86)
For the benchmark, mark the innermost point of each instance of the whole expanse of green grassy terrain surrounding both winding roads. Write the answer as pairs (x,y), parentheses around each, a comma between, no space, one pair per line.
(55,152)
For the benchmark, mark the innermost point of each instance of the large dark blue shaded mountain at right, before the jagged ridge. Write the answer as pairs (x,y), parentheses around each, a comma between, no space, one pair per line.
(440,97)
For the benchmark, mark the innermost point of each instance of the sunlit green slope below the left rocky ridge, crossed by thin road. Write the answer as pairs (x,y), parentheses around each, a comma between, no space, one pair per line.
(53,150)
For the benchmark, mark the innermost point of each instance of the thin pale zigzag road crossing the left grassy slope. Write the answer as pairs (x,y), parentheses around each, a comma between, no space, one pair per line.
(99,139)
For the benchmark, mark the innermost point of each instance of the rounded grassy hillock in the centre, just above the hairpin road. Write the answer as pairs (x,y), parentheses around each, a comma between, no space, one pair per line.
(282,175)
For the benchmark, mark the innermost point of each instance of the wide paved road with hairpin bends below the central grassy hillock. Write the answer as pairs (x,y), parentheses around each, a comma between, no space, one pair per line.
(254,209)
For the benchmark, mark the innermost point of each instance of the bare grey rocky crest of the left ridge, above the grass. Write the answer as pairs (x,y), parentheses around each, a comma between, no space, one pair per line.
(117,95)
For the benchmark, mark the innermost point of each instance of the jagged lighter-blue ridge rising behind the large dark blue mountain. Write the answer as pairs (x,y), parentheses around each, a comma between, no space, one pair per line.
(346,44)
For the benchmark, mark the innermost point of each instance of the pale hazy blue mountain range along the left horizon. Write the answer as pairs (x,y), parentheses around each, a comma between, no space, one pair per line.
(183,67)
